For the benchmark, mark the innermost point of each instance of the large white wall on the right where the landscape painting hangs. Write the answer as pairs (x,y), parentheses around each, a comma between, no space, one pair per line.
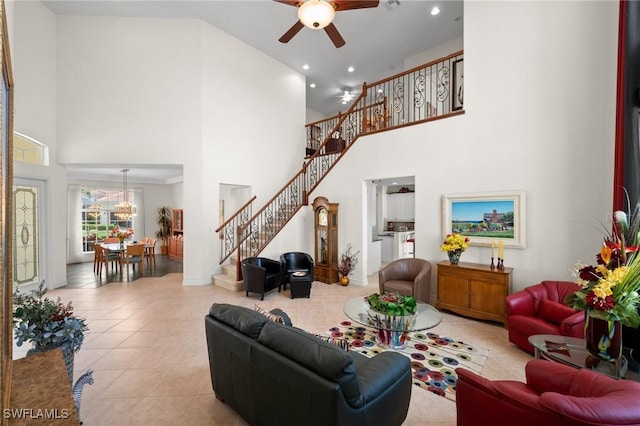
(539,117)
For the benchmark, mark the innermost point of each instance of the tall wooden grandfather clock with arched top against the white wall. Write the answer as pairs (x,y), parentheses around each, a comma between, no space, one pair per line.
(326,240)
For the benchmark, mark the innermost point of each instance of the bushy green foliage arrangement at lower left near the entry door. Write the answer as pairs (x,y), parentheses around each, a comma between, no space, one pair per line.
(45,322)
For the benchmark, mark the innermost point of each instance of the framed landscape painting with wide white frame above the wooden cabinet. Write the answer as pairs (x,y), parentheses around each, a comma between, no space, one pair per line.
(486,218)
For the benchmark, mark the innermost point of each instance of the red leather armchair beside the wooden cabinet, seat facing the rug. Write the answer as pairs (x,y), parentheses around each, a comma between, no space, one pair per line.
(538,309)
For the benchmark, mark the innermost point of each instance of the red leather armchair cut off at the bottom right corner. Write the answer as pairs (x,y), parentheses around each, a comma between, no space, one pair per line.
(555,394)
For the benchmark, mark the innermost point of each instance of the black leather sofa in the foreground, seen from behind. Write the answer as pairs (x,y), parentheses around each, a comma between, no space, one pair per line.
(274,374)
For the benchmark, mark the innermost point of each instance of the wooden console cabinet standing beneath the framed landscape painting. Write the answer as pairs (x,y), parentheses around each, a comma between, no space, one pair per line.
(473,290)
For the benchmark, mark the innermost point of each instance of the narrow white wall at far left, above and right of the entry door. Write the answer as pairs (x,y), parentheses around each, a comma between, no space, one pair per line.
(33,50)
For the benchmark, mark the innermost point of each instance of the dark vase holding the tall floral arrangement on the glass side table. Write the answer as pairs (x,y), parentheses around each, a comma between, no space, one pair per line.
(603,339)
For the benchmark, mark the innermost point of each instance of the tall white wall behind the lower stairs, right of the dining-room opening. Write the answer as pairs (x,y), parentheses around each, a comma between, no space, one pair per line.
(252,130)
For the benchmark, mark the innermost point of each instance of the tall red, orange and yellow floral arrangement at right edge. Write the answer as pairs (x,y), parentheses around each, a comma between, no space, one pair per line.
(610,288)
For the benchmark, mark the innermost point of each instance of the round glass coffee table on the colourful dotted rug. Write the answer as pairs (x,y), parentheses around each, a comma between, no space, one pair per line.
(392,331)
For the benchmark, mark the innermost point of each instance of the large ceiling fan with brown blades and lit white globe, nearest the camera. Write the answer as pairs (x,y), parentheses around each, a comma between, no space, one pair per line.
(319,14)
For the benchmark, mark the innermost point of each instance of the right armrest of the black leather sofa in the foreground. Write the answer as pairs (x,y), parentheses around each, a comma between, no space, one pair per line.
(381,374)
